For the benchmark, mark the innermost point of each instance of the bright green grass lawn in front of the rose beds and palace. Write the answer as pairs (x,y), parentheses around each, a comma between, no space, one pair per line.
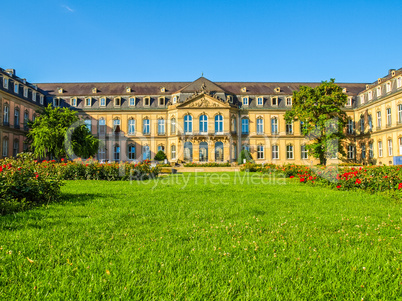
(227,241)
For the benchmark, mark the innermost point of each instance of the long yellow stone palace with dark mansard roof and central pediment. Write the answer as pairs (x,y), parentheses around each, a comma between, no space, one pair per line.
(205,121)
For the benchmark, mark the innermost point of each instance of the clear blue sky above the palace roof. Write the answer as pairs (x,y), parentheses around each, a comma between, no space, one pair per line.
(92,41)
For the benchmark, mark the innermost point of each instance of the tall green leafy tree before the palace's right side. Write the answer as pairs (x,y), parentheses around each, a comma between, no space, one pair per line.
(320,110)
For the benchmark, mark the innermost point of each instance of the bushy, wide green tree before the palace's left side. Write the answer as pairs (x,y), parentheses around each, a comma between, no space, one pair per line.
(48,131)
